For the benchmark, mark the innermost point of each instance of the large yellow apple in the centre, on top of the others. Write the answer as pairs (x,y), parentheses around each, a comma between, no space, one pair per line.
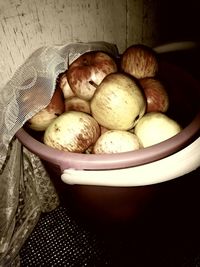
(118,102)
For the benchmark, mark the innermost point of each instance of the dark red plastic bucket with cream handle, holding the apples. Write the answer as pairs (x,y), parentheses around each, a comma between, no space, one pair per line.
(119,186)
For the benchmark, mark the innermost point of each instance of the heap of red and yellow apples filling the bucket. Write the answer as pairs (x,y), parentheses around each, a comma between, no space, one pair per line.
(117,101)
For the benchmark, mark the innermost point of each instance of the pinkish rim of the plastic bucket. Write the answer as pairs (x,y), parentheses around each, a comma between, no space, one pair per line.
(117,160)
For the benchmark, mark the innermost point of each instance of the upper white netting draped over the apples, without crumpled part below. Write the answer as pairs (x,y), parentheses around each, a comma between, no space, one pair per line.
(33,84)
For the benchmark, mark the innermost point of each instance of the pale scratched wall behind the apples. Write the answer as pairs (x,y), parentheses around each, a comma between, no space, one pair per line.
(26,25)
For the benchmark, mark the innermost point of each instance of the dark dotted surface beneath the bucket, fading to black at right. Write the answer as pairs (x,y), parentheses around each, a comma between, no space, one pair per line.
(167,235)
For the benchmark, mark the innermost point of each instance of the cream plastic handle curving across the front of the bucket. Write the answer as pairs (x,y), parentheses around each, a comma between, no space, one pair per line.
(176,165)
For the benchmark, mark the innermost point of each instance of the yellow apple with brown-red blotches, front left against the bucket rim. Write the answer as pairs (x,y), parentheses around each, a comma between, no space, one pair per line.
(72,131)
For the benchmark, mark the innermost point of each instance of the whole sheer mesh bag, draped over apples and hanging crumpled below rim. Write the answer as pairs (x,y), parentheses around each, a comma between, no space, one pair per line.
(25,187)
